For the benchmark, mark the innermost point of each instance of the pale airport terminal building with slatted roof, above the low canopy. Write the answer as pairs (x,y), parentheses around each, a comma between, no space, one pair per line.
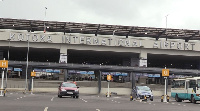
(99,44)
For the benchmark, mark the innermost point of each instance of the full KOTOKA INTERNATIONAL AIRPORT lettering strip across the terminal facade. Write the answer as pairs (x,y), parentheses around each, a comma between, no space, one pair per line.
(103,41)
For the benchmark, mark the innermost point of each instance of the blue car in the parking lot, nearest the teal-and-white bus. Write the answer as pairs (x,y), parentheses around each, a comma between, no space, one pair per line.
(142,91)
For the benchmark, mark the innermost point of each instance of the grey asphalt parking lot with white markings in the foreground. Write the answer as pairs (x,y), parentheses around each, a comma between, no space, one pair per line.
(17,101)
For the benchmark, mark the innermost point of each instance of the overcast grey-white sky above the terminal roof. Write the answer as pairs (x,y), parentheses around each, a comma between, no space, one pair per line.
(183,14)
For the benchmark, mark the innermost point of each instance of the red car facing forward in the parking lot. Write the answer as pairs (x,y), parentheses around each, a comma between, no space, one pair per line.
(68,89)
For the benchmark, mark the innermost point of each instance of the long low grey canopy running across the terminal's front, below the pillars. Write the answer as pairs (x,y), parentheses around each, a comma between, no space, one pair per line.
(104,68)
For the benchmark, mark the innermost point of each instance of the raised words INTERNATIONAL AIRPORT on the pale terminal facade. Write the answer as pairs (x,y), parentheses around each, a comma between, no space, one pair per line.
(126,42)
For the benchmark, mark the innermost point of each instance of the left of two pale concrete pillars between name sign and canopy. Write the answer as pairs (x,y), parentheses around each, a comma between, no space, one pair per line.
(63,55)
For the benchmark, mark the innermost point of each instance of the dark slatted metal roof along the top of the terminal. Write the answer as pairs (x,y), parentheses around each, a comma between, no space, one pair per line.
(101,29)
